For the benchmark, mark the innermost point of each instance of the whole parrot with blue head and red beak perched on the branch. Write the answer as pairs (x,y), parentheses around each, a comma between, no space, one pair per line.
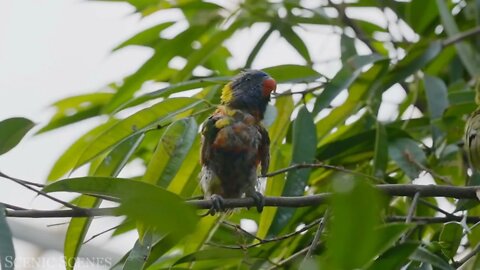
(235,144)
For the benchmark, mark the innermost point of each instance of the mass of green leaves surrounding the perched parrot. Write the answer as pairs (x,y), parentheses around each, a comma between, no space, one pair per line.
(421,50)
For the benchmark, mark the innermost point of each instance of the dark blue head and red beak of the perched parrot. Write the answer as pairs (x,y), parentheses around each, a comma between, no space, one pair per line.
(249,91)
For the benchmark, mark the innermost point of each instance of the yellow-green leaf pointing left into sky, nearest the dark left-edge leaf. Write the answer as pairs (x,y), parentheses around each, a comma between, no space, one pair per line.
(76,108)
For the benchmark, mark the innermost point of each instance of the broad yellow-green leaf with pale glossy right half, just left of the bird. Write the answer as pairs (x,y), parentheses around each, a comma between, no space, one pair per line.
(171,151)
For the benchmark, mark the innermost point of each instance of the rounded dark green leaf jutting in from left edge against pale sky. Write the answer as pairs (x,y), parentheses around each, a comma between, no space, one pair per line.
(12,131)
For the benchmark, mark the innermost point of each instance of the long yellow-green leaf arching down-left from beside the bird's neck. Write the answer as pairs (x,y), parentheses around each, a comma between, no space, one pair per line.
(158,114)
